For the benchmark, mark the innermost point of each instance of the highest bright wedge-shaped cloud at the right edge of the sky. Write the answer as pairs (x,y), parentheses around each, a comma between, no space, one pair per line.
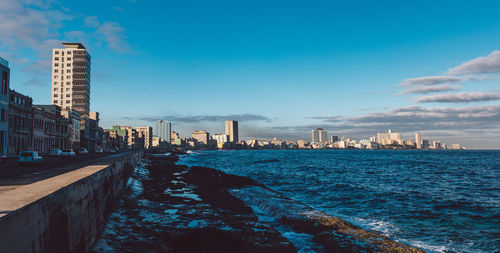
(482,64)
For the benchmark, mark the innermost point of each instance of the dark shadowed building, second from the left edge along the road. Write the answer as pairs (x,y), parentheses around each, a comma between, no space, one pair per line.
(20,122)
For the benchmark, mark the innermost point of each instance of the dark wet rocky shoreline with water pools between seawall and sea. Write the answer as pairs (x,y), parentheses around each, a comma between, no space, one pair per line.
(173,208)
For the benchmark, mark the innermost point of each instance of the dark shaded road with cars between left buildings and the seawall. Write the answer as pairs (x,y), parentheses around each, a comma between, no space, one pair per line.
(12,174)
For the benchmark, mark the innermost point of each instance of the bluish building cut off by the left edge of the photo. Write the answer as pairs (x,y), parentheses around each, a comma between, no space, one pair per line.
(4,105)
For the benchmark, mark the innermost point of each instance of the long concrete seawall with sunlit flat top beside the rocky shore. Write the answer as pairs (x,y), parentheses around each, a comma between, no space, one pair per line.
(64,213)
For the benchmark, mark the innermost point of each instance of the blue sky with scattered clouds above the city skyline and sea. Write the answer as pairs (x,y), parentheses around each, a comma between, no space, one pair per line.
(280,67)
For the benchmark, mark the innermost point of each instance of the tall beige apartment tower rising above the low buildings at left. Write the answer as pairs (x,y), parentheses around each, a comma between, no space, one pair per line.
(71,78)
